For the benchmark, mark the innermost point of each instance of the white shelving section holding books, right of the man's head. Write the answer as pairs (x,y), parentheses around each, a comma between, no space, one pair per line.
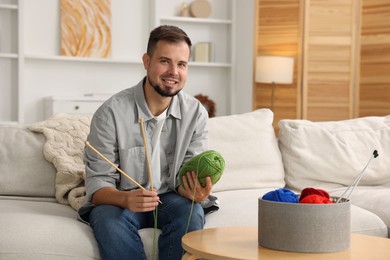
(219,29)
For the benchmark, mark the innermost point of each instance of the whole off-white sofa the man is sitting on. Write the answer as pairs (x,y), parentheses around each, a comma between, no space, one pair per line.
(325,155)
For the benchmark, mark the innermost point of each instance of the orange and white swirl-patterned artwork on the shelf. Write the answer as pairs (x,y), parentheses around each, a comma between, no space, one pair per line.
(86,28)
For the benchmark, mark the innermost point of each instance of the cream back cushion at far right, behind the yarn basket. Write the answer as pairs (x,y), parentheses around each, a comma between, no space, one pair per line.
(329,155)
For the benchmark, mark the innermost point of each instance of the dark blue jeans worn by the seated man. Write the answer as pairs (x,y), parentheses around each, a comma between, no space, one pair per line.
(116,229)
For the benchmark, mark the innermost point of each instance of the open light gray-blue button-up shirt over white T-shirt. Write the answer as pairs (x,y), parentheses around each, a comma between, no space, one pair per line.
(116,133)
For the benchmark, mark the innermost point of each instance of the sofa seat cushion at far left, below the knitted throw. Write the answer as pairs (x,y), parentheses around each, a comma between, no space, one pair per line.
(43,230)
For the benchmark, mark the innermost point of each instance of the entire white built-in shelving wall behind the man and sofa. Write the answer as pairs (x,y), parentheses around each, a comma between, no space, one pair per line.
(32,69)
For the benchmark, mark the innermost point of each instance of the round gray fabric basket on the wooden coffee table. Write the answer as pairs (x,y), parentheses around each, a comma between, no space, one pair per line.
(315,228)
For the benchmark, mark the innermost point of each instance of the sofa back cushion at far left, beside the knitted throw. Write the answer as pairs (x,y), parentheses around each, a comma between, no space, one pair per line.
(23,169)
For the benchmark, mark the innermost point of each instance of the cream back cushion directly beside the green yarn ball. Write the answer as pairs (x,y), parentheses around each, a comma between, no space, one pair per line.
(250,149)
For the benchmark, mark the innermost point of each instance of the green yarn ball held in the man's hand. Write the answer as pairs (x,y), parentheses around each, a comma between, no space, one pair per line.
(209,163)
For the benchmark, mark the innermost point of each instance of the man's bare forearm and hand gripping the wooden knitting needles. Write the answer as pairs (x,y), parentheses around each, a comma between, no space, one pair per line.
(135,200)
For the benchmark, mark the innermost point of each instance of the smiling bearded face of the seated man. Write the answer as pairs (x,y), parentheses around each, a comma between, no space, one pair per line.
(167,68)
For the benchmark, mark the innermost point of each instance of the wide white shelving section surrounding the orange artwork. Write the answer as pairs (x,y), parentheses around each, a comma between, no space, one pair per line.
(56,83)
